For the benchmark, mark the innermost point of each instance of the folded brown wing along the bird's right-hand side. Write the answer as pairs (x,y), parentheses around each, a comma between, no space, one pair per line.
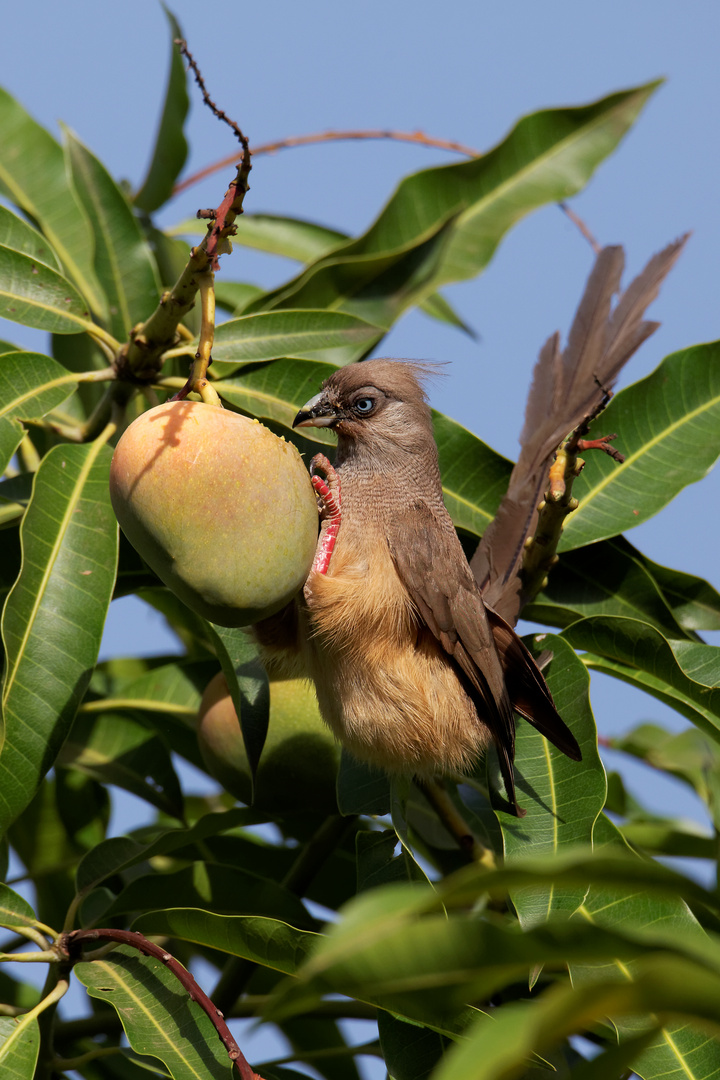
(432,566)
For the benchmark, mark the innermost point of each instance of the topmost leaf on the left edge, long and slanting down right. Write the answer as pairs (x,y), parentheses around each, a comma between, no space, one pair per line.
(33,175)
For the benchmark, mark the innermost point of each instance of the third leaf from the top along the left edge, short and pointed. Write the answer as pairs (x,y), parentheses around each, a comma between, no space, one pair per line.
(33,294)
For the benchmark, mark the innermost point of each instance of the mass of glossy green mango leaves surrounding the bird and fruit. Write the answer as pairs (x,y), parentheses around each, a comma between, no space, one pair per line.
(570,924)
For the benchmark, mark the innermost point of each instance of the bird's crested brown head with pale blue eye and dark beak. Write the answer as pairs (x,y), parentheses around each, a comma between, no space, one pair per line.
(377,404)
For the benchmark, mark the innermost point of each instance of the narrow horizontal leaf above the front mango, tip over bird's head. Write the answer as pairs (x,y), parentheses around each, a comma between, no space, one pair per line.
(274,334)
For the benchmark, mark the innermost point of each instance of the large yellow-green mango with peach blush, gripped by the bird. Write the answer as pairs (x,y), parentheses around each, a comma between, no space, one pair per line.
(221,508)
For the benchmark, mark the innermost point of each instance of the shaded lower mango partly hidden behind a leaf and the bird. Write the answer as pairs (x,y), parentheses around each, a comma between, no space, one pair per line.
(300,762)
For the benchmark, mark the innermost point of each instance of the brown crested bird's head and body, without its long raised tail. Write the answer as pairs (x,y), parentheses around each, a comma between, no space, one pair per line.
(414,673)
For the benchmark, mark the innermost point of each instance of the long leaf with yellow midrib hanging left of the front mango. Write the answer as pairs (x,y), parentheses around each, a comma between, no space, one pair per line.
(55,616)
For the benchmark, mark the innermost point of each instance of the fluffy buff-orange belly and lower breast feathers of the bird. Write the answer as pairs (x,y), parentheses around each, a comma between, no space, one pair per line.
(385,686)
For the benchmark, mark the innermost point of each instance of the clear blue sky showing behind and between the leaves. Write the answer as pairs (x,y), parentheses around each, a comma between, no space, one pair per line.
(464,72)
